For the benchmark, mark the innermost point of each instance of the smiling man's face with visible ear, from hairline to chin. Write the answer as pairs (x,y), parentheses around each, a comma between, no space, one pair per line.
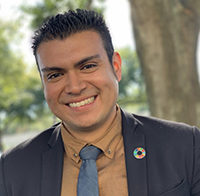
(80,86)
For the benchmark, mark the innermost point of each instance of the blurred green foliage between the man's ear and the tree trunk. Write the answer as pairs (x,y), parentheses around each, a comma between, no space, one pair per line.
(132,86)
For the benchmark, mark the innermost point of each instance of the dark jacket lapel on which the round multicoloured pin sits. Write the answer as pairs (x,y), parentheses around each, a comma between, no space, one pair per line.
(136,168)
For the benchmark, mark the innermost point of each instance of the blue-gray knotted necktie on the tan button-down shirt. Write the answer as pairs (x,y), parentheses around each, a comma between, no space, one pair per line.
(88,176)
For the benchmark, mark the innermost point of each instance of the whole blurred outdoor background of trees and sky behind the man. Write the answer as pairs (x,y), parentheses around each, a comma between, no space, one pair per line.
(158,42)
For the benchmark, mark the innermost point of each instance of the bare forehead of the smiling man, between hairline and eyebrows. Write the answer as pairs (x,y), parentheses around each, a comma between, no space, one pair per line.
(76,46)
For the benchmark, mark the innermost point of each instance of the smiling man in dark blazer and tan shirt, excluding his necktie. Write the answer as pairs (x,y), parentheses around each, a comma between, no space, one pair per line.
(140,156)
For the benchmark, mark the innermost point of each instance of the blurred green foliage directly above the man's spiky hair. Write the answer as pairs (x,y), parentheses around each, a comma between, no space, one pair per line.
(46,8)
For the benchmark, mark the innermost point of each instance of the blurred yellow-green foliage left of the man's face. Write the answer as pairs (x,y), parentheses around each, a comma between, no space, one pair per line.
(21,94)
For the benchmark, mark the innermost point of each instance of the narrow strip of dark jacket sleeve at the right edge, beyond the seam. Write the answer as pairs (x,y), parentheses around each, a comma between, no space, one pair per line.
(195,189)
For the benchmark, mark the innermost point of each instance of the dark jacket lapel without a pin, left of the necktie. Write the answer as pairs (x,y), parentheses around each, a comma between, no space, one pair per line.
(52,166)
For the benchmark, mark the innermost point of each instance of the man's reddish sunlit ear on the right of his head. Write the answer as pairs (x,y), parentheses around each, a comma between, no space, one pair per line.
(117,65)
